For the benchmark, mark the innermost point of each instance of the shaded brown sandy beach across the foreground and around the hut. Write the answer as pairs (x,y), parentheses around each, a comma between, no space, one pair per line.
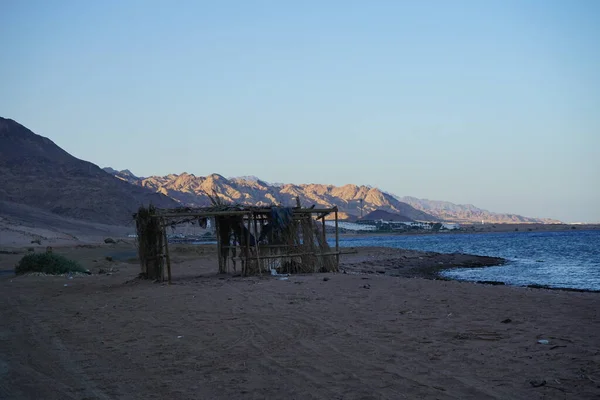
(358,335)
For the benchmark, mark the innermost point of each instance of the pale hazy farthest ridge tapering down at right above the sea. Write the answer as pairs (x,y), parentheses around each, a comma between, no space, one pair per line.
(467,212)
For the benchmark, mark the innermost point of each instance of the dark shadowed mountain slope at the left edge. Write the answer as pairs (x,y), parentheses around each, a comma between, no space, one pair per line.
(34,171)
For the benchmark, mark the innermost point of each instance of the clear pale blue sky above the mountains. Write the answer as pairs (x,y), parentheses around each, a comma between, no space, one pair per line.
(495,103)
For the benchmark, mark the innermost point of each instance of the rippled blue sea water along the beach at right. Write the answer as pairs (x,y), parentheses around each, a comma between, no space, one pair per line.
(569,259)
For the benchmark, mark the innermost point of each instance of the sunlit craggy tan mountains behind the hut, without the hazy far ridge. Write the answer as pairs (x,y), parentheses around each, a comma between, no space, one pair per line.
(189,189)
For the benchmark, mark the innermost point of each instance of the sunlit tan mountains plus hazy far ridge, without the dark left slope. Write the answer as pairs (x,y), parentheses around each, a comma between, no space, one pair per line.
(190,189)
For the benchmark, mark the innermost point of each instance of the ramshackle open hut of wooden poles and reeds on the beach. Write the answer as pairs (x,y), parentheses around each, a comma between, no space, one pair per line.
(258,240)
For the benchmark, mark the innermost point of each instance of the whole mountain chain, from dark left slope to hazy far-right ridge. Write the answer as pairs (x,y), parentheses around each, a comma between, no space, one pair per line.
(35,172)
